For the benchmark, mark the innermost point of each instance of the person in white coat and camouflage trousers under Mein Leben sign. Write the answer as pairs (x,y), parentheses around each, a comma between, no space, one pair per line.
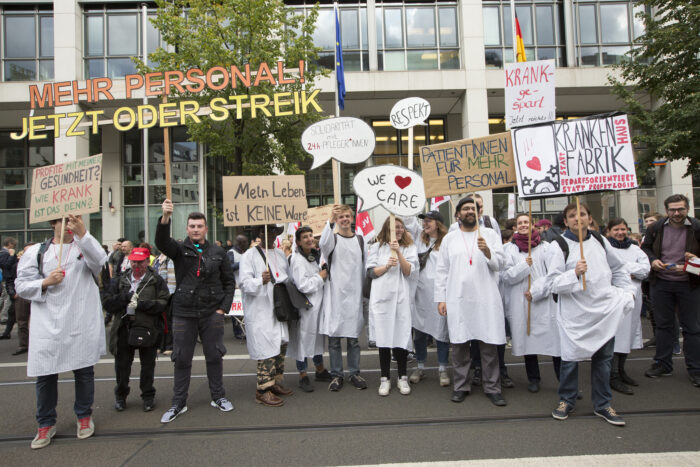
(267,338)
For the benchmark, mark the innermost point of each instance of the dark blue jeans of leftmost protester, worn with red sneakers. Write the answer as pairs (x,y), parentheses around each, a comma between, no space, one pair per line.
(47,396)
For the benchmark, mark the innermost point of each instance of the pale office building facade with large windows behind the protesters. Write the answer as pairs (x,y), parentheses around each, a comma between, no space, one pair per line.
(448,52)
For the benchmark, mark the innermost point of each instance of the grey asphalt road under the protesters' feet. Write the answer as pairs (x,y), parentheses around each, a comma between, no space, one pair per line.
(349,427)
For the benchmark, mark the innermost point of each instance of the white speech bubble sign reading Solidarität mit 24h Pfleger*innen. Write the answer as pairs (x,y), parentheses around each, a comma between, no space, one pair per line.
(345,139)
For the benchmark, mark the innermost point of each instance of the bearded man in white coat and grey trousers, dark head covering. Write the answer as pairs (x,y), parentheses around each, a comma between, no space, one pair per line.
(466,289)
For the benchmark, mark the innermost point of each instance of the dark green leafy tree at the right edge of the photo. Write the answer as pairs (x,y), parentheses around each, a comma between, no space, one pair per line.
(660,83)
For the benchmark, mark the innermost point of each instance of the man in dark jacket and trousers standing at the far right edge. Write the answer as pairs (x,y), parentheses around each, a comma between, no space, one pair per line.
(669,243)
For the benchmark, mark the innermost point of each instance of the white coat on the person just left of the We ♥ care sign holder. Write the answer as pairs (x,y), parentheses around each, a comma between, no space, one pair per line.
(341,314)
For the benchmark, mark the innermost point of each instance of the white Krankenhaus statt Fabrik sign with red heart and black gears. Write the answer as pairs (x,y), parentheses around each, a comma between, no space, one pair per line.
(575,156)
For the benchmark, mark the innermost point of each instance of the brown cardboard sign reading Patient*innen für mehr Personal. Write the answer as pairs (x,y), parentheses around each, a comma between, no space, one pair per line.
(468,165)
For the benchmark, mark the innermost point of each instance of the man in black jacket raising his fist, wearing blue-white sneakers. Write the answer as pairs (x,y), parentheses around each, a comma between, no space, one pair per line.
(204,294)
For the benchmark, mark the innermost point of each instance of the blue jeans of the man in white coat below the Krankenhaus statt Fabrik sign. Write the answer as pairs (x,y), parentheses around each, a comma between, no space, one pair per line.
(601,363)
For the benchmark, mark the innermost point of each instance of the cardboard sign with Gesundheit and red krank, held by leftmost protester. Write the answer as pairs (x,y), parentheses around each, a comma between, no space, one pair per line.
(68,188)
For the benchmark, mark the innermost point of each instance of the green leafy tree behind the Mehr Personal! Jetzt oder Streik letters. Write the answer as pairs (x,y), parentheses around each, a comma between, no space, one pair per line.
(207,33)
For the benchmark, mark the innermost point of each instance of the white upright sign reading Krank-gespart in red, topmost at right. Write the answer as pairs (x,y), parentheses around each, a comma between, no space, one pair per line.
(529,92)
